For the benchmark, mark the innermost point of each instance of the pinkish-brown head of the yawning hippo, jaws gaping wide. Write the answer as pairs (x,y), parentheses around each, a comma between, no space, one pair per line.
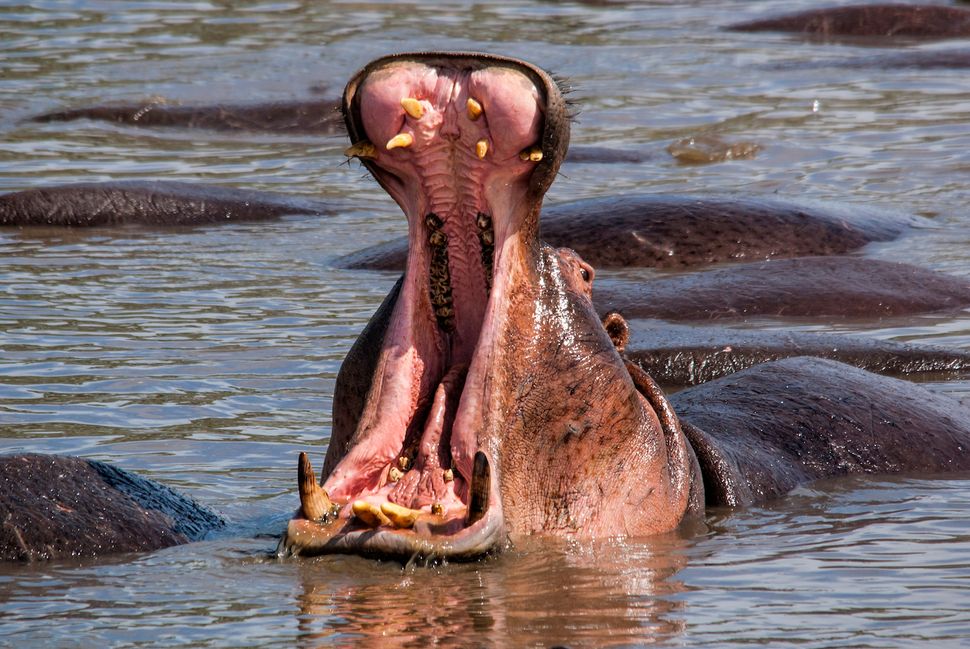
(499,406)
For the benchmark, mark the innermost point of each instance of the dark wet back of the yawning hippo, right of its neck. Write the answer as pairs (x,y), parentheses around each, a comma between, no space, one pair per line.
(762,431)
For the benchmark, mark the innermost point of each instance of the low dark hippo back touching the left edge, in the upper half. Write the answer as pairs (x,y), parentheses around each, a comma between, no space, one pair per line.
(157,203)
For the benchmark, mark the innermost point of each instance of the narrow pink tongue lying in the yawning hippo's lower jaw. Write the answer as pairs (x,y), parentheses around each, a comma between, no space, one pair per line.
(424,484)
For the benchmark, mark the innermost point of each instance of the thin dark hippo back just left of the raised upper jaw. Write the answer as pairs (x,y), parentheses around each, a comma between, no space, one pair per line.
(318,117)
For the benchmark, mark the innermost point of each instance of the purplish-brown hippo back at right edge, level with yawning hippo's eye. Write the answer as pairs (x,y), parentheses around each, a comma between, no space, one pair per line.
(847,287)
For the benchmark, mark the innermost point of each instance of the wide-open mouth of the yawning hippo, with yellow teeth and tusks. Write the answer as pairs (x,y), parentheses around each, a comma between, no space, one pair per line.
(466,144)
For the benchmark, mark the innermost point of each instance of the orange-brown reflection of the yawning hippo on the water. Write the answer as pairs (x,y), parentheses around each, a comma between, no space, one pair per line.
(538,596)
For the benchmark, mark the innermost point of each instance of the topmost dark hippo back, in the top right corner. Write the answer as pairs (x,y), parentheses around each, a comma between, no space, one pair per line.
(878,20)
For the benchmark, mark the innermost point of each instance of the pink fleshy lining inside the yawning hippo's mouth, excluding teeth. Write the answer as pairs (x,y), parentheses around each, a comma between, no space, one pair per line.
(423,365)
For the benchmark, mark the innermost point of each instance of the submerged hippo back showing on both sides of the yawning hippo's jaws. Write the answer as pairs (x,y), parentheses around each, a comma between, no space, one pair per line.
(666,231)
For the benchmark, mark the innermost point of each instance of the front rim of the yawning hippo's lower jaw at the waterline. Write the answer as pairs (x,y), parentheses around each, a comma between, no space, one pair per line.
(304,537)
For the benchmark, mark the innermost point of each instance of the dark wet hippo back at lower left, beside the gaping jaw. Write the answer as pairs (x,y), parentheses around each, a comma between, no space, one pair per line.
(54,507)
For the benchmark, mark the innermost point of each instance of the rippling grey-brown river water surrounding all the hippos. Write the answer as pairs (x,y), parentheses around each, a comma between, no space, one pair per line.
(205,358)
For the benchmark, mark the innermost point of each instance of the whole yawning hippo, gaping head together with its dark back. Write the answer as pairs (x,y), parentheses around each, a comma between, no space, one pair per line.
(486,401)
